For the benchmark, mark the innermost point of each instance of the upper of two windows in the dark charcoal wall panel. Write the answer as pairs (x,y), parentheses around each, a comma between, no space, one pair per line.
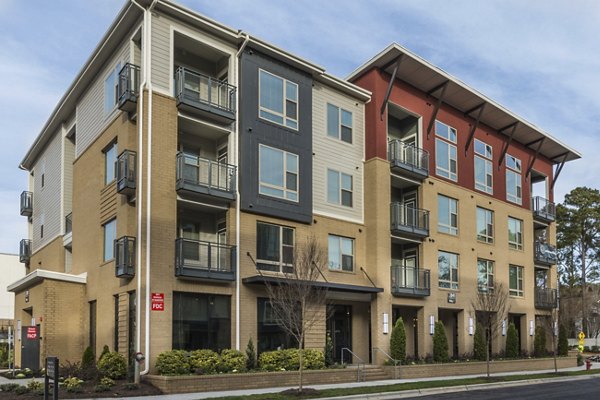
(278,100)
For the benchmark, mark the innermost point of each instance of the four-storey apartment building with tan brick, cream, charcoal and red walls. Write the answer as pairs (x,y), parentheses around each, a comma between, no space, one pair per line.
(188,160)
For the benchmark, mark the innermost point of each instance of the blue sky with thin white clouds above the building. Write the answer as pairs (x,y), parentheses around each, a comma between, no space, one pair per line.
(538,58)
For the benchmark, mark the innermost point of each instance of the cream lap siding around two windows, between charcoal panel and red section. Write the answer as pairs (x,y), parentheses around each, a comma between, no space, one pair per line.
(335,154)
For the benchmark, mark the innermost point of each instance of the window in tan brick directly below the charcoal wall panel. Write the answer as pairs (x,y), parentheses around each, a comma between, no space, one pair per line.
(274,247)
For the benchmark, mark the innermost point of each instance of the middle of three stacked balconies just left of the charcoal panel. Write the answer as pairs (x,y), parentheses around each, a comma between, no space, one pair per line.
(204,179)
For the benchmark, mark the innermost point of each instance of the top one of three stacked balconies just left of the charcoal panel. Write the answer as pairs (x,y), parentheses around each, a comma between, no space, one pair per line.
(205,96)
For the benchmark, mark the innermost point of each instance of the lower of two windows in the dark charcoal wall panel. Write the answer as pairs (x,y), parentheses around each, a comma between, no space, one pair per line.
(278,172)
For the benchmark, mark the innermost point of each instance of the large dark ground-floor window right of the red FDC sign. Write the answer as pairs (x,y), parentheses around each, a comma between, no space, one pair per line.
(201,321)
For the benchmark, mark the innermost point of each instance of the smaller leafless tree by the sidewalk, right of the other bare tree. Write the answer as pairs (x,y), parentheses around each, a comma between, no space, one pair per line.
(491,306)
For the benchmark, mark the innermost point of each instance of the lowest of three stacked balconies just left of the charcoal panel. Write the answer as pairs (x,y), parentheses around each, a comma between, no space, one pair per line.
(197,259)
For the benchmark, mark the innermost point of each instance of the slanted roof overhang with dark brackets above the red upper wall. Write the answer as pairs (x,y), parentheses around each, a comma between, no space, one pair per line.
(426,77)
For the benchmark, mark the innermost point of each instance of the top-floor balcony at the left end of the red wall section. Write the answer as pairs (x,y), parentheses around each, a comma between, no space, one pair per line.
(408,160)
